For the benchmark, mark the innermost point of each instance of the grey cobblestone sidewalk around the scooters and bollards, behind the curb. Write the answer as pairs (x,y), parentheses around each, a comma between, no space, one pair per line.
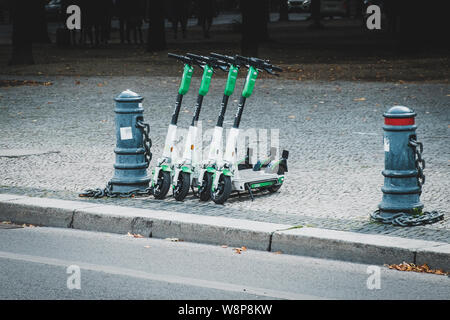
(332,130)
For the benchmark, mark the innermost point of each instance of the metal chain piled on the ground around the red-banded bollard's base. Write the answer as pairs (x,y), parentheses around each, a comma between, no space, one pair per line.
(404,219)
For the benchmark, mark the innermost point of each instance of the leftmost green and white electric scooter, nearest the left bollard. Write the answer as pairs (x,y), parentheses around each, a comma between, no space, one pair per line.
(162,173)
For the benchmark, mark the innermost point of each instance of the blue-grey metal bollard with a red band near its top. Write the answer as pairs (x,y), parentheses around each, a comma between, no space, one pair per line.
(402,174)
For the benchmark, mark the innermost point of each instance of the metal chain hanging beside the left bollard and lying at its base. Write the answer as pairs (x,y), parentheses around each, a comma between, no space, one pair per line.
(107,191)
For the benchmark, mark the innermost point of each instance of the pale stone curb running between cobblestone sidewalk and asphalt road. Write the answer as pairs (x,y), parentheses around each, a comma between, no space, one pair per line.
(321,243)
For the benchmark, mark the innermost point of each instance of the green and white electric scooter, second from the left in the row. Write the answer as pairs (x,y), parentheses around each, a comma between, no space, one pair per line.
(186,170)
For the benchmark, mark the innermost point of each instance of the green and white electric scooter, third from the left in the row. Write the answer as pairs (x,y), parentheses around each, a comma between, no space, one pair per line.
(209,166)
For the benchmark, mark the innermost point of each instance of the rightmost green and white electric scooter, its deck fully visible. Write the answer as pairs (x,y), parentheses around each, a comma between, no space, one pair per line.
(229,177)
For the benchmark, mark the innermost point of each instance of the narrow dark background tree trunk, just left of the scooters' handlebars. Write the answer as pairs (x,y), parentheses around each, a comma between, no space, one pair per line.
(156,29)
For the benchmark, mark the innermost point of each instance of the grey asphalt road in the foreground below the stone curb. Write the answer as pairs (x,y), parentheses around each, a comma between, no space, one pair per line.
(35,262)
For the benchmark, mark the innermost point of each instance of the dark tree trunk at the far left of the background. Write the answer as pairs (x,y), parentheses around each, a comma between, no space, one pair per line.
(22,35)
